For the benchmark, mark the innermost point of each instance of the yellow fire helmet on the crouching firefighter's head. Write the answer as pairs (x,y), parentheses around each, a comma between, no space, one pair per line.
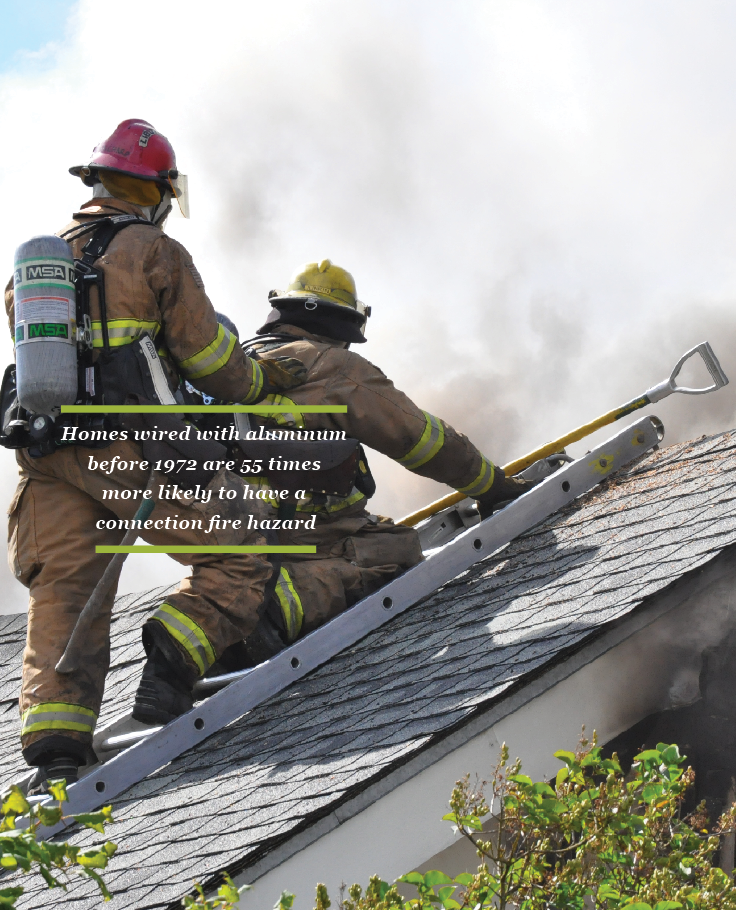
(323,299)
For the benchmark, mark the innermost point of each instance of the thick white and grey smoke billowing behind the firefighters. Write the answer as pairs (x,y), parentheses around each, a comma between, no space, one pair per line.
(536,199)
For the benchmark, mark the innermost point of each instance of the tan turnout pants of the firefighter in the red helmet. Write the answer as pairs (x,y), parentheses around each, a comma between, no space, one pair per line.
(53,532)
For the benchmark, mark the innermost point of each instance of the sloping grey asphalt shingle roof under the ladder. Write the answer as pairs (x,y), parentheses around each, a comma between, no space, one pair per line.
(297,757)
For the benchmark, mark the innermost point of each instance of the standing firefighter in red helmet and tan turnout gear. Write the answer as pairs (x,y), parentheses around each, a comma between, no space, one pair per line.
(63,509)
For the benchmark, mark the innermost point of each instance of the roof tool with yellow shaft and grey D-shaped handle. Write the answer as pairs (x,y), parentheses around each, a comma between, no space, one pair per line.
(656,393)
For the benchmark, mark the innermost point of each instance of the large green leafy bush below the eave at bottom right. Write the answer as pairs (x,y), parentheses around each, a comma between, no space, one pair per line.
(598,838)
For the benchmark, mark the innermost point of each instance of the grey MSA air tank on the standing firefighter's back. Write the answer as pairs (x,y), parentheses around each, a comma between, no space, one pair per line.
(45,324)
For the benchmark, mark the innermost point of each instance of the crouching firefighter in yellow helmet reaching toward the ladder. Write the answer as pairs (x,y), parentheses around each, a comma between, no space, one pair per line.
(316,320)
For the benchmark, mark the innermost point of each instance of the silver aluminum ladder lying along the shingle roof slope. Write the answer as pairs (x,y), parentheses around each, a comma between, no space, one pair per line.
(241,692)
